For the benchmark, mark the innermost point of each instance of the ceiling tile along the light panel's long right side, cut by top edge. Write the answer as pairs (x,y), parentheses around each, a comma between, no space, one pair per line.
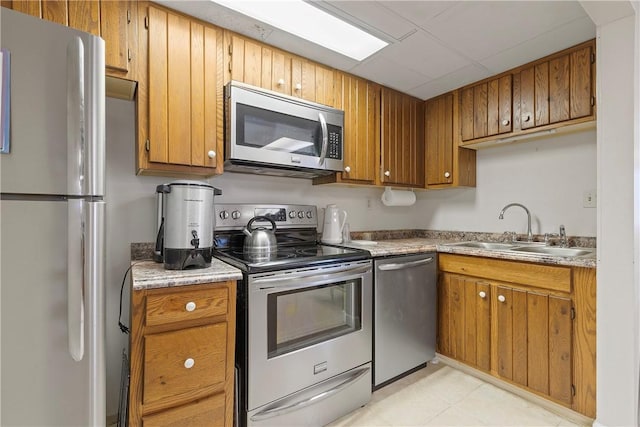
(369,15)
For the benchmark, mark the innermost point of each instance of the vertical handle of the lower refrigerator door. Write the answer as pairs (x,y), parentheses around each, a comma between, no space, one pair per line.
(75,278)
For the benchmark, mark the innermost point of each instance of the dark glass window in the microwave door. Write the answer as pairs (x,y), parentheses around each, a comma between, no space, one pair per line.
(270,130)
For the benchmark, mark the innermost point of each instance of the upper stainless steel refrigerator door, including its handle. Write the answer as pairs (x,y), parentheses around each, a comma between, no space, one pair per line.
(57,109)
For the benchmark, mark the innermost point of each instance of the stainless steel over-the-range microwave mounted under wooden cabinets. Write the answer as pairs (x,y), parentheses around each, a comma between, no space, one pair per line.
(273,134)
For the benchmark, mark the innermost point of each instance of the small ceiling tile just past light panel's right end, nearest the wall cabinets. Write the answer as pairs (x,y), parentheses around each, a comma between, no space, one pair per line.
(389,73)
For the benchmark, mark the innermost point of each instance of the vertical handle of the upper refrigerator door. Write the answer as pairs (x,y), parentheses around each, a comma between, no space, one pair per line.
(76,127)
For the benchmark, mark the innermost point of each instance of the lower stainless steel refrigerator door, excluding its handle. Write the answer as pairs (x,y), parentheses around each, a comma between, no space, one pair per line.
(41,383)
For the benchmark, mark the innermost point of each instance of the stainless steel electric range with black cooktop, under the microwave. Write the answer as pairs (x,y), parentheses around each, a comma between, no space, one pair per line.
(304,321)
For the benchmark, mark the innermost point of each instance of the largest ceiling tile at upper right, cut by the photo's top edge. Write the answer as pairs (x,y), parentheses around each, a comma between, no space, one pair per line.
(484,28)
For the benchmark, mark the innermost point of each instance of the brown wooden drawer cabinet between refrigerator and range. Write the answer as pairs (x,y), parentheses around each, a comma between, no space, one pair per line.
(182,355)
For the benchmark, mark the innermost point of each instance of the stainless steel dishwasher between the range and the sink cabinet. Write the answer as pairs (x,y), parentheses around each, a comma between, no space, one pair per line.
(405,304)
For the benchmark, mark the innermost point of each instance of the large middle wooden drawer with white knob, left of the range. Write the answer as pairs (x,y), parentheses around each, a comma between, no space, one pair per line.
(176,363)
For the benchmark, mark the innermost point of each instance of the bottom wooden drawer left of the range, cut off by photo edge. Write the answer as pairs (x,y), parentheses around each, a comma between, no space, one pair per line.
(205,412)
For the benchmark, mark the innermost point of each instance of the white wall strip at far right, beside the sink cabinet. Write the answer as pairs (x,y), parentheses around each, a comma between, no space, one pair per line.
(617,375)
